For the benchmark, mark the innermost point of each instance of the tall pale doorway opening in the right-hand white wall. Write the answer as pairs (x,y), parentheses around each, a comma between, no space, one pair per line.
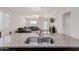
(66,23)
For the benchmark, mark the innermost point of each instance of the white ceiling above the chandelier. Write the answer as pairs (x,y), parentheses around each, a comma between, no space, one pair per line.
(35,10)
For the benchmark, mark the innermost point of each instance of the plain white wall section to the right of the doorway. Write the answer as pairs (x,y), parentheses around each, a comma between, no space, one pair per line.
(75,22)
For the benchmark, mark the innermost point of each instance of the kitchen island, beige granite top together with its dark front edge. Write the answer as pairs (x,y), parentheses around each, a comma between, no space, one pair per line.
(17,41)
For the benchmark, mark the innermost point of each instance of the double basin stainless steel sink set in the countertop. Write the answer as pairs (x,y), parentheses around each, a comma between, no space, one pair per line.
(39,40)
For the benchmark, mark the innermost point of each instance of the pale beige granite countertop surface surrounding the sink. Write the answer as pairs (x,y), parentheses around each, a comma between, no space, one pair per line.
(60,40)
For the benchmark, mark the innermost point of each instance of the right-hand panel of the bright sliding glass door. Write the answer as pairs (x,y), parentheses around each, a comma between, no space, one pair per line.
(6,29)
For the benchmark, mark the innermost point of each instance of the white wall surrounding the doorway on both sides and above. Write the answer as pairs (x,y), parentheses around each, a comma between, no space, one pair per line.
(74,20)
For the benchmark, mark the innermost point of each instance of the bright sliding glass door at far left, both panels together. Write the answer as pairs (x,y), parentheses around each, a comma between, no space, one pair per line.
(4,29)
